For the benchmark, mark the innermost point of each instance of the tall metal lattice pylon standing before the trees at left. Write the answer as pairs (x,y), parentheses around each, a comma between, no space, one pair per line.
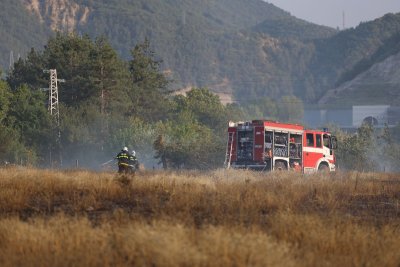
(54,110)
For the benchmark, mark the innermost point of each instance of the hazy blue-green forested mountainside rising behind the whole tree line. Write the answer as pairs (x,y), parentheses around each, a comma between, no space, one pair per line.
(241,49)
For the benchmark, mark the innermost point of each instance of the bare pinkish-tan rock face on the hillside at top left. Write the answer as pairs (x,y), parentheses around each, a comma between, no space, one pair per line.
(60,15)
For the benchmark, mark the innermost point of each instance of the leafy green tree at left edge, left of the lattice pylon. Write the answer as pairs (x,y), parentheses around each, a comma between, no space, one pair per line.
(24,124)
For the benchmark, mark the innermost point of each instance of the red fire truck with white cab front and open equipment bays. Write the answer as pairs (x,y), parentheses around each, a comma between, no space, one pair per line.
(269,145)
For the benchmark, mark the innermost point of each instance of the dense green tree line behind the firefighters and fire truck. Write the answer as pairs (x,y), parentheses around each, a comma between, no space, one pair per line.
(107,103)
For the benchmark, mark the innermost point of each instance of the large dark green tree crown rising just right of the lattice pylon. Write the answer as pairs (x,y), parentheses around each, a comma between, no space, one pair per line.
(92,69)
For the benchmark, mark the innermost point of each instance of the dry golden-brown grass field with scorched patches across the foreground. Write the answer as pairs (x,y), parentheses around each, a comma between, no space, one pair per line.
(217,218)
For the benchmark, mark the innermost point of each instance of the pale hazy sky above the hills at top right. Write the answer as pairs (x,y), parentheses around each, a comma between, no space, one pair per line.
(330,12)
